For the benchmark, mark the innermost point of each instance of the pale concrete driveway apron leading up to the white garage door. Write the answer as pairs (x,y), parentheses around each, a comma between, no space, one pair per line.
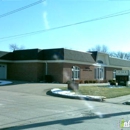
(30,88)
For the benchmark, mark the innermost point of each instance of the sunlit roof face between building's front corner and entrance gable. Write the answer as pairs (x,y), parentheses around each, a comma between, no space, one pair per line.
(78,56)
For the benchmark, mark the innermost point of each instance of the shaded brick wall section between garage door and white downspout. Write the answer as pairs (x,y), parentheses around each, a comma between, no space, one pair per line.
(26,71)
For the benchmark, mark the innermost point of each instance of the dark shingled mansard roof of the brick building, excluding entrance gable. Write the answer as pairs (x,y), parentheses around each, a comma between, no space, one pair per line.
(59,54)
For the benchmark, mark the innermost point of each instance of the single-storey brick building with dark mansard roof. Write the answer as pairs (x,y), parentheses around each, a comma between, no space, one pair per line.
(60,64)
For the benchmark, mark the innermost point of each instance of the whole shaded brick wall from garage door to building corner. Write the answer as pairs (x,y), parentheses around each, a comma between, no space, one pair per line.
(35,71)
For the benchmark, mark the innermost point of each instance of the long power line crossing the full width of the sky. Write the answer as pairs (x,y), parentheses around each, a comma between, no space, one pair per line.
(68,25)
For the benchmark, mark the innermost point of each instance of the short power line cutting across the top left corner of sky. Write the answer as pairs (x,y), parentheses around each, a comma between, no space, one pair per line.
(22,8)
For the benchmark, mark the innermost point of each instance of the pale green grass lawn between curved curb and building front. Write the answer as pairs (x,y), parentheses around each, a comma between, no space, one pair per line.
(104,91)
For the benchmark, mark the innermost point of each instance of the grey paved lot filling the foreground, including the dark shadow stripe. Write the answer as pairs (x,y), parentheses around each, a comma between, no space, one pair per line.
(26,106)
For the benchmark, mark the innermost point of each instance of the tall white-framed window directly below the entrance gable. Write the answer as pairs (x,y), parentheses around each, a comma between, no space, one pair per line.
(99,73)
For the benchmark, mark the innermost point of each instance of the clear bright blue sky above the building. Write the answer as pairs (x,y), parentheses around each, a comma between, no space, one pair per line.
(113,32)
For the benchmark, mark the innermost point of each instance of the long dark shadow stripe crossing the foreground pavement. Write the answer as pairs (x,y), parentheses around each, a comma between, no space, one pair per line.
(64,121)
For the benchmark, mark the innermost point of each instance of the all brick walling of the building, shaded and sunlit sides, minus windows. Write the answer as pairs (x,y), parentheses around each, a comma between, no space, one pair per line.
(61,72)
